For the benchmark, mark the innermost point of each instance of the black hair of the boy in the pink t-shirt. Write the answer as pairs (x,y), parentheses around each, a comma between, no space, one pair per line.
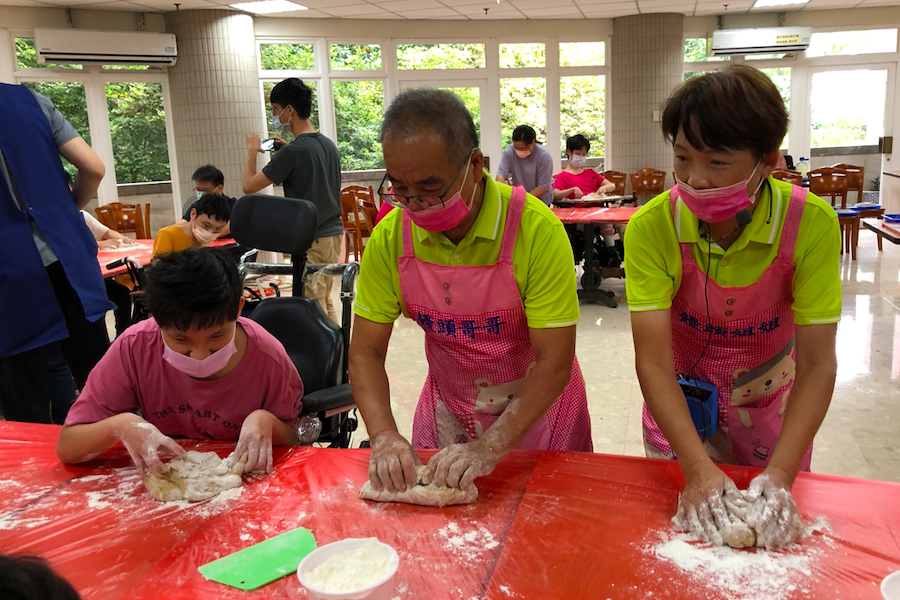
(193,289)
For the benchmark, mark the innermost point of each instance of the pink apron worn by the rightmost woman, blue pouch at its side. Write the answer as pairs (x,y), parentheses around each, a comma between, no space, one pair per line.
(750,358)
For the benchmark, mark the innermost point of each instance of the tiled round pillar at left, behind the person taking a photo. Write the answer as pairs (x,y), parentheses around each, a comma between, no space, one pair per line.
(215,93)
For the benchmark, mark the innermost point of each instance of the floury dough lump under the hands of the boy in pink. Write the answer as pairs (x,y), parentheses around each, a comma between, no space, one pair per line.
(195,476)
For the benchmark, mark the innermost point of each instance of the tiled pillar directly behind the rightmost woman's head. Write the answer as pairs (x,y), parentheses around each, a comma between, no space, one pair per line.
(646,65)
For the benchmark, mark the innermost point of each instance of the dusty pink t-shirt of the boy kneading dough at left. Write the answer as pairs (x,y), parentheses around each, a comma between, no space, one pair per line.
(133,375)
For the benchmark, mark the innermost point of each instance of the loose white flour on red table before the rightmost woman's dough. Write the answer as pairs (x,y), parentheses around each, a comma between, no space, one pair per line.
(755,574)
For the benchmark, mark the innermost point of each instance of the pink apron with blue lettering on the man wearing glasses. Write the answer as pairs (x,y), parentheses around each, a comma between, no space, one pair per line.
(479,351)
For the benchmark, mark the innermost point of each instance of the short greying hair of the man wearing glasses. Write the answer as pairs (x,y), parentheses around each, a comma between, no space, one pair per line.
(428,108)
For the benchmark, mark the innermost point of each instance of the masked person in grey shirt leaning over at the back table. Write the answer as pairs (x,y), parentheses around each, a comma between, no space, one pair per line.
(529,164)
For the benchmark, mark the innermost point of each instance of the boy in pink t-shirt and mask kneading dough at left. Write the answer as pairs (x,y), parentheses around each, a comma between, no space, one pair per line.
(195,370)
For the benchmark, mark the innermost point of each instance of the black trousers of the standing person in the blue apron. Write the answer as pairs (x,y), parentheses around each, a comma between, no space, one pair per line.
(33,385)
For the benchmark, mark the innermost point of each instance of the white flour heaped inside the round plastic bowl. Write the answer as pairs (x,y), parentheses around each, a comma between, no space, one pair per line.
(353,570)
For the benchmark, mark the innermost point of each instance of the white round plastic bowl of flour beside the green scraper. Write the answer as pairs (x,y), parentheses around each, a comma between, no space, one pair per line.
(351,569)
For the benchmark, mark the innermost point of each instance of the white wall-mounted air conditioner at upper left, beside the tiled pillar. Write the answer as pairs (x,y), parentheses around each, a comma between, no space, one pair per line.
(62,46)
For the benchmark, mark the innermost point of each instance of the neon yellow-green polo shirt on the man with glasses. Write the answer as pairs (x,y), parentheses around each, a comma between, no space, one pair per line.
(542,260)
